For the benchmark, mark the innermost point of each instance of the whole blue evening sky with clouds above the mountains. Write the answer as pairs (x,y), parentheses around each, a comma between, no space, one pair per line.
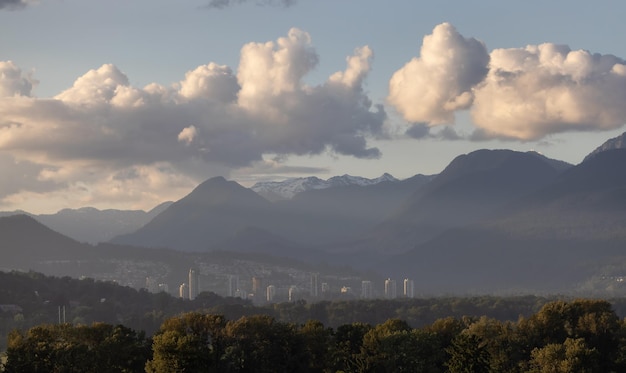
(125,104)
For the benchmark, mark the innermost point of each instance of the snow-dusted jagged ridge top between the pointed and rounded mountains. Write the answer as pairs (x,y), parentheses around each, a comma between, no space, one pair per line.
(287,189)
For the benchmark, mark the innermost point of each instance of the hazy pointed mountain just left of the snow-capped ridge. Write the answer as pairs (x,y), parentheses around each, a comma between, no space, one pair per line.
(213,212)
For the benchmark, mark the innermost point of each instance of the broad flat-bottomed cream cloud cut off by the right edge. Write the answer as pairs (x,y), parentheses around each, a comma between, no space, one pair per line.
(539,90)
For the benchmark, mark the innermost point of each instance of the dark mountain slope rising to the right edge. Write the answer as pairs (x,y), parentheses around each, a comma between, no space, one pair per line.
(570,234)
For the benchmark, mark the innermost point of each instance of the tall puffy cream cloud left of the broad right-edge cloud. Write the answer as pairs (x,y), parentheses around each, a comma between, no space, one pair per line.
(430,88)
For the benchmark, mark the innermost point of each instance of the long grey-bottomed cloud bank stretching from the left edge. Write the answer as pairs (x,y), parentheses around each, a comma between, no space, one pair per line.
(213,121)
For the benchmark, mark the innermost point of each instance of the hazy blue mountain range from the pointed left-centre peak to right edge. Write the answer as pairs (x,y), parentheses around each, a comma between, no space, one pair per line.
(492,220)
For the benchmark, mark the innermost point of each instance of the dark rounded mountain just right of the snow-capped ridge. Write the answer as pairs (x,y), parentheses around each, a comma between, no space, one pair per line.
(469,189)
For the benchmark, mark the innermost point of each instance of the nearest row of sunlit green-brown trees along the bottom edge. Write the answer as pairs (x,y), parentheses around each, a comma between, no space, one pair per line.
(575,336)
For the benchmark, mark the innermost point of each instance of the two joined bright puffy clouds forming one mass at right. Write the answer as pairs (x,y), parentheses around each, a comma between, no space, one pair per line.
(517,93)
